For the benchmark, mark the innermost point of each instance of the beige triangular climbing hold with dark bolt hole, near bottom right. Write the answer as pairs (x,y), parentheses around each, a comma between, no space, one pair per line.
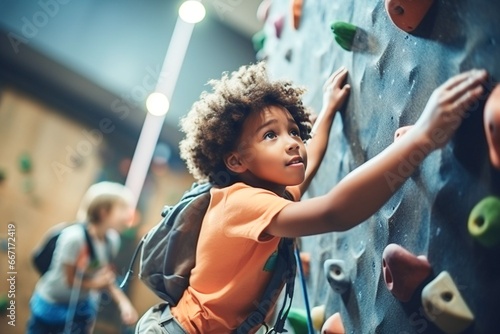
(444,305)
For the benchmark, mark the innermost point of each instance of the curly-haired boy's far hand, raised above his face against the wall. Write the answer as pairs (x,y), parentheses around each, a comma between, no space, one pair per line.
(335,90)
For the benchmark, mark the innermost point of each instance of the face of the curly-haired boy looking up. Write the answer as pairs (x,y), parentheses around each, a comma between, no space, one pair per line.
(270,151)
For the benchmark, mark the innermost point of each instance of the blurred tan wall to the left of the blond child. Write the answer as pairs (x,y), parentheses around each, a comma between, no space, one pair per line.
(34,200)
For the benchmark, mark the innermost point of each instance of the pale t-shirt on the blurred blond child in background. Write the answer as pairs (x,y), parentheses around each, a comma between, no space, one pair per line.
(53,285)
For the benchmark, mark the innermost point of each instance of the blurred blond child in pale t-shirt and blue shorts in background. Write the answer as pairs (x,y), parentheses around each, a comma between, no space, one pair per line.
(105,206)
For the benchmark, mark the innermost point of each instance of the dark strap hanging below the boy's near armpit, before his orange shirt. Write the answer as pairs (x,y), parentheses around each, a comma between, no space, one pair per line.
(284,273)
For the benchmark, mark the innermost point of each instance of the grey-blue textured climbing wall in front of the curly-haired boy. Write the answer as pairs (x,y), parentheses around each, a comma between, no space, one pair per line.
(393,73)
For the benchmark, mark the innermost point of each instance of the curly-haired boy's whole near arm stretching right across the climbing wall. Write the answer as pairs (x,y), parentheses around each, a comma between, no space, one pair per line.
(361,193)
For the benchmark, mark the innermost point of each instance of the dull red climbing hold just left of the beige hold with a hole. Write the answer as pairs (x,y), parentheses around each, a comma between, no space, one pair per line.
(403,271)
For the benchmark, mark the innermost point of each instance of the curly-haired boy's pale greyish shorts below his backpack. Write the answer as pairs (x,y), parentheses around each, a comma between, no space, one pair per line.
(159,320)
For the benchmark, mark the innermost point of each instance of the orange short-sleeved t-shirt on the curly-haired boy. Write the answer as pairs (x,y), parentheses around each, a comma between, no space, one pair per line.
(230,273)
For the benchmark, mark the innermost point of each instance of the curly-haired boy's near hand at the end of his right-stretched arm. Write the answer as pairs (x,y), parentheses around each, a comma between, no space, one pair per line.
(447,106)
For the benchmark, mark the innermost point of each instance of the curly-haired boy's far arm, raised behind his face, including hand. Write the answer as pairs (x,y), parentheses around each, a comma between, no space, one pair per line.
(335,92)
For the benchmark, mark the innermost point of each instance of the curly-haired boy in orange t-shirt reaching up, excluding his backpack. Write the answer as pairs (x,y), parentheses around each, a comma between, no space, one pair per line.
(247,138)
